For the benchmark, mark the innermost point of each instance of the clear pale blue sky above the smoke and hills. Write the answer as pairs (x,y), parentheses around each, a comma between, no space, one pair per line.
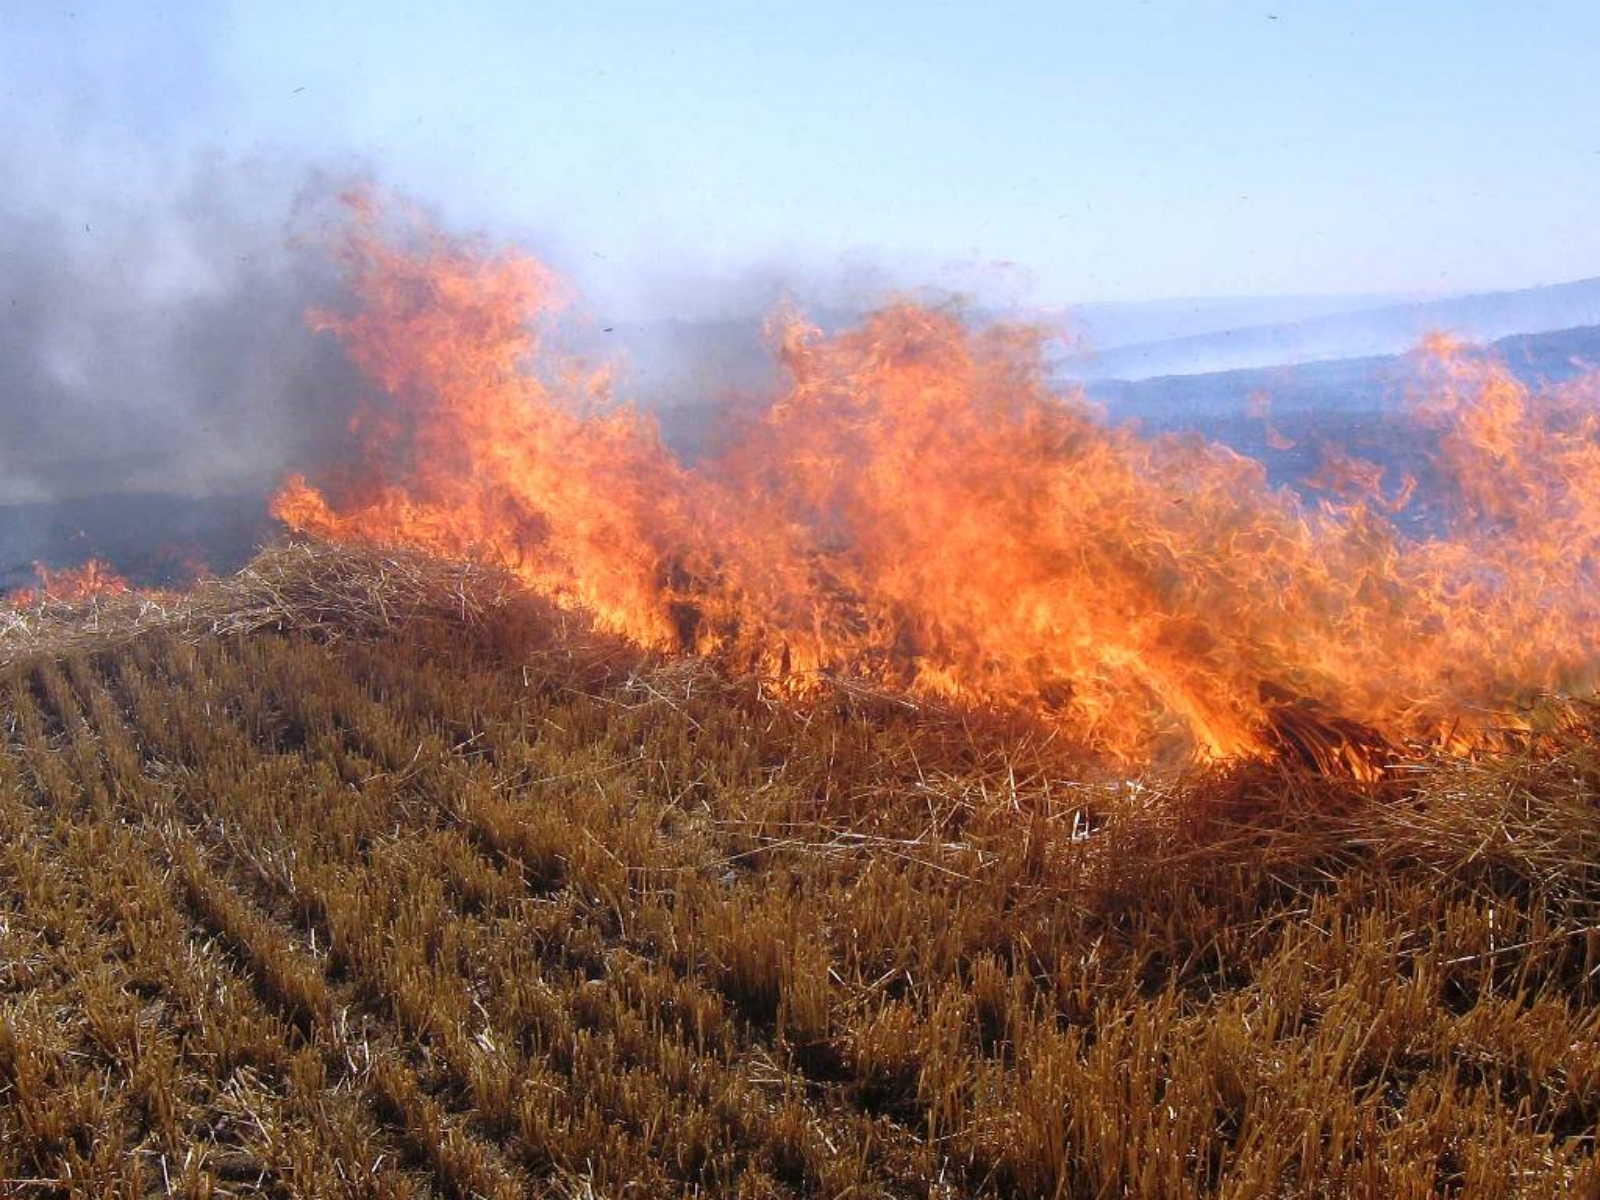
(1082,151)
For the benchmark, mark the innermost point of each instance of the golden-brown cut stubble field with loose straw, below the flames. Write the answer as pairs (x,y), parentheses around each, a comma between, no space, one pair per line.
(385,884)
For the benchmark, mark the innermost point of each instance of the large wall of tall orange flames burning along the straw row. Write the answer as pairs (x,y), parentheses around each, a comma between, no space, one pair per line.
(921,506)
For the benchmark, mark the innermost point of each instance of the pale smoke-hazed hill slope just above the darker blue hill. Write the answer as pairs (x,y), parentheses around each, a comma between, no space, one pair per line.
(1386,329)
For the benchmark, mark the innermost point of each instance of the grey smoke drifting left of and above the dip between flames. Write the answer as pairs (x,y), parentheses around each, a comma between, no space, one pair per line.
(159,255)
